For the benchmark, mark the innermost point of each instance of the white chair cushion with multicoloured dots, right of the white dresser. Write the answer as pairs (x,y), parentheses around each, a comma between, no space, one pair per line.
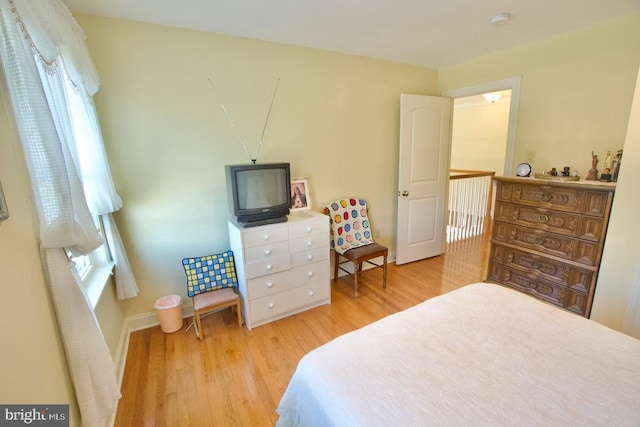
(350,227)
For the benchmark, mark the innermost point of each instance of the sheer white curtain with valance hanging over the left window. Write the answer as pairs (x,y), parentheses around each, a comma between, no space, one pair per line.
(63,188)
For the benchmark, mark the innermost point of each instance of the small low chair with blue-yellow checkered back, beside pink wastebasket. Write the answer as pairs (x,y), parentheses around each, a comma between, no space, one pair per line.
(211,281)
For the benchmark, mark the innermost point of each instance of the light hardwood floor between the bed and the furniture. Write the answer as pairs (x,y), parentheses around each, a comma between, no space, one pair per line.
(236,377)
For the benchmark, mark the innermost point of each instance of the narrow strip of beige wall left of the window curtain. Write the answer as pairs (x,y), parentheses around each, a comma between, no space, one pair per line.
(32,364)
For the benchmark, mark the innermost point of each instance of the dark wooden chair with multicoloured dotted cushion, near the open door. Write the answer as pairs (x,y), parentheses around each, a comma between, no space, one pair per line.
(352,239)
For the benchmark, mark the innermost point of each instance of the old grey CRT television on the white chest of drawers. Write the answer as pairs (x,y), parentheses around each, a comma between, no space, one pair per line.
(259,193)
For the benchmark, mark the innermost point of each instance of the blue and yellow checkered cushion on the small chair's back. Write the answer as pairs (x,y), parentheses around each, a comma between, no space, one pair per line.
(208,273)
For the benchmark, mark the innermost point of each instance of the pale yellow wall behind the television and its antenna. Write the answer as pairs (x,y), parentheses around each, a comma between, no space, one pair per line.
(335,119)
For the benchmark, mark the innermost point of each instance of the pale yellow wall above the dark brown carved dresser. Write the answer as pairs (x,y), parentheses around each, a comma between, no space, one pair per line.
(575,94)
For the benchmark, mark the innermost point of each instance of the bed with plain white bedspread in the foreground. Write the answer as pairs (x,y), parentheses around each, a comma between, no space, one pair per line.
(479,355)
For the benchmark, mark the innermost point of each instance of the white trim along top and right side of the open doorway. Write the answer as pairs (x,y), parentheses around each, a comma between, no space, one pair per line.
(512,83)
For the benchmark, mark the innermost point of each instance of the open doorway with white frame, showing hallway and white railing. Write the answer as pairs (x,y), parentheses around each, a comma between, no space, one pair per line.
(483,138)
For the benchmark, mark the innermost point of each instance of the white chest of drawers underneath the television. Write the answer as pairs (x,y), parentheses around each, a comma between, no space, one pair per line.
(283,268)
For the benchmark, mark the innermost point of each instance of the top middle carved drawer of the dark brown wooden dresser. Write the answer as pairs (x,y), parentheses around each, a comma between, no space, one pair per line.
(547,196)
